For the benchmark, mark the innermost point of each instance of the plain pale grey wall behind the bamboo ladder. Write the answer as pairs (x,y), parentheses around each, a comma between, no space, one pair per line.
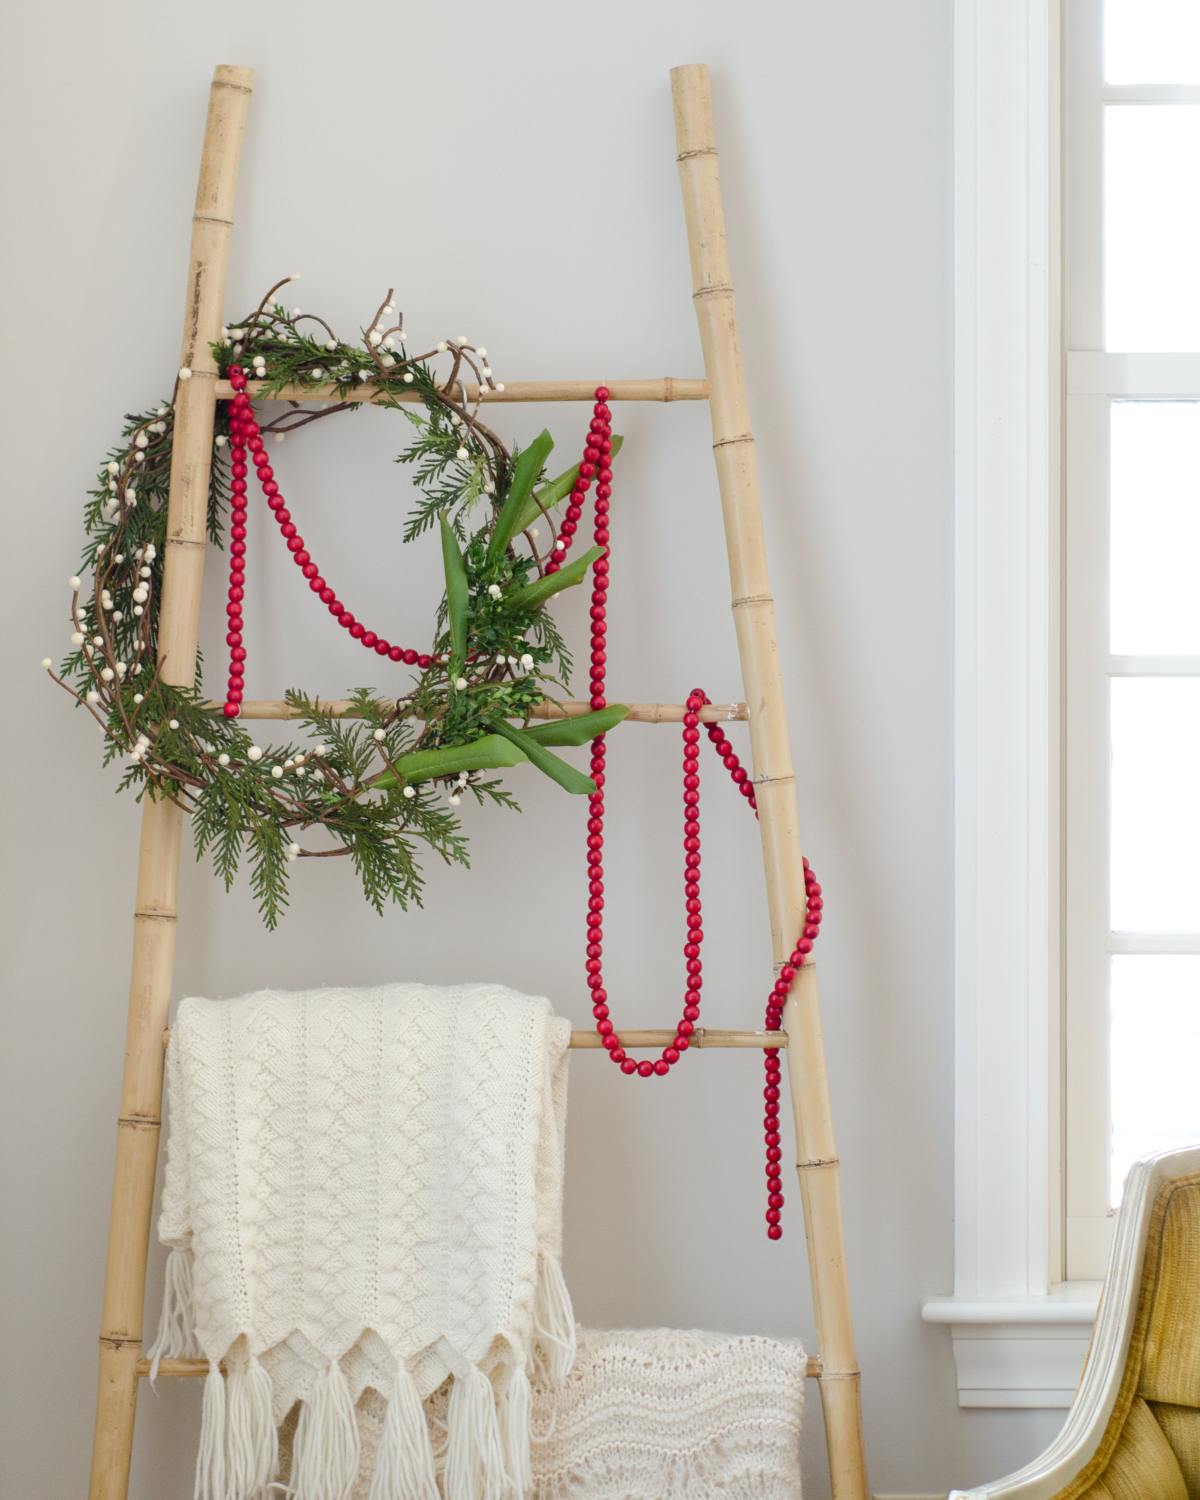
(509,167)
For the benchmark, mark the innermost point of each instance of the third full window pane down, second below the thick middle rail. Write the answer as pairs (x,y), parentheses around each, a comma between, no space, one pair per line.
(1156,805)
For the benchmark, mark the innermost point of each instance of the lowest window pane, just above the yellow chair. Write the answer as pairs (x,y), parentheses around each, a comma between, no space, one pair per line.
(1156,1058)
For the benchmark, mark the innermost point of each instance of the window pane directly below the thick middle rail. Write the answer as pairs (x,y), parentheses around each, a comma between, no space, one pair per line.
(1156,529)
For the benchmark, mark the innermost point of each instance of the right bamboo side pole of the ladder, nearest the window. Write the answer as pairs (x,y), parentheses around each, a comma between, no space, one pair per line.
(775,784)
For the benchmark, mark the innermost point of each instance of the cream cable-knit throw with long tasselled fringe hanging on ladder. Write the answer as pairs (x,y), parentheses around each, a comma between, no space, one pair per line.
(365,1189)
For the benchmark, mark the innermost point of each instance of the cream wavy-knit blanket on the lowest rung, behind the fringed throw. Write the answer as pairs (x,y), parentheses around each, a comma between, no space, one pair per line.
(647,1415)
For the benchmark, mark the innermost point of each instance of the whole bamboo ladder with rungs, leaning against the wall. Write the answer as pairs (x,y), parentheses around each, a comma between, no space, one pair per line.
(775,784)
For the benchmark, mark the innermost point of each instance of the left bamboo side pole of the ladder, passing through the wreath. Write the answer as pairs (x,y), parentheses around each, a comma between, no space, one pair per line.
(161,827)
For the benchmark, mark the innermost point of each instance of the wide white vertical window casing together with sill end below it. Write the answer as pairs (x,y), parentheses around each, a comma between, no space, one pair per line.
(1021,1331)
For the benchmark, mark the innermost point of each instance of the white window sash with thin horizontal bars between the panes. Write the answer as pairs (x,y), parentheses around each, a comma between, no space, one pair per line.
(1094,379)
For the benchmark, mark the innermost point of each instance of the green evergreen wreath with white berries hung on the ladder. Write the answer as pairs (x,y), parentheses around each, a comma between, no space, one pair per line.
(373,781)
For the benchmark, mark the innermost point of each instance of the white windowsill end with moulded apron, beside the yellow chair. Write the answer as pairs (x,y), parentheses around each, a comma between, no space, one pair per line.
(1019,1352)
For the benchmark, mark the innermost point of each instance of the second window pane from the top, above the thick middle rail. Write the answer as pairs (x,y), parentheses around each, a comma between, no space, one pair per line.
(1153,227)
